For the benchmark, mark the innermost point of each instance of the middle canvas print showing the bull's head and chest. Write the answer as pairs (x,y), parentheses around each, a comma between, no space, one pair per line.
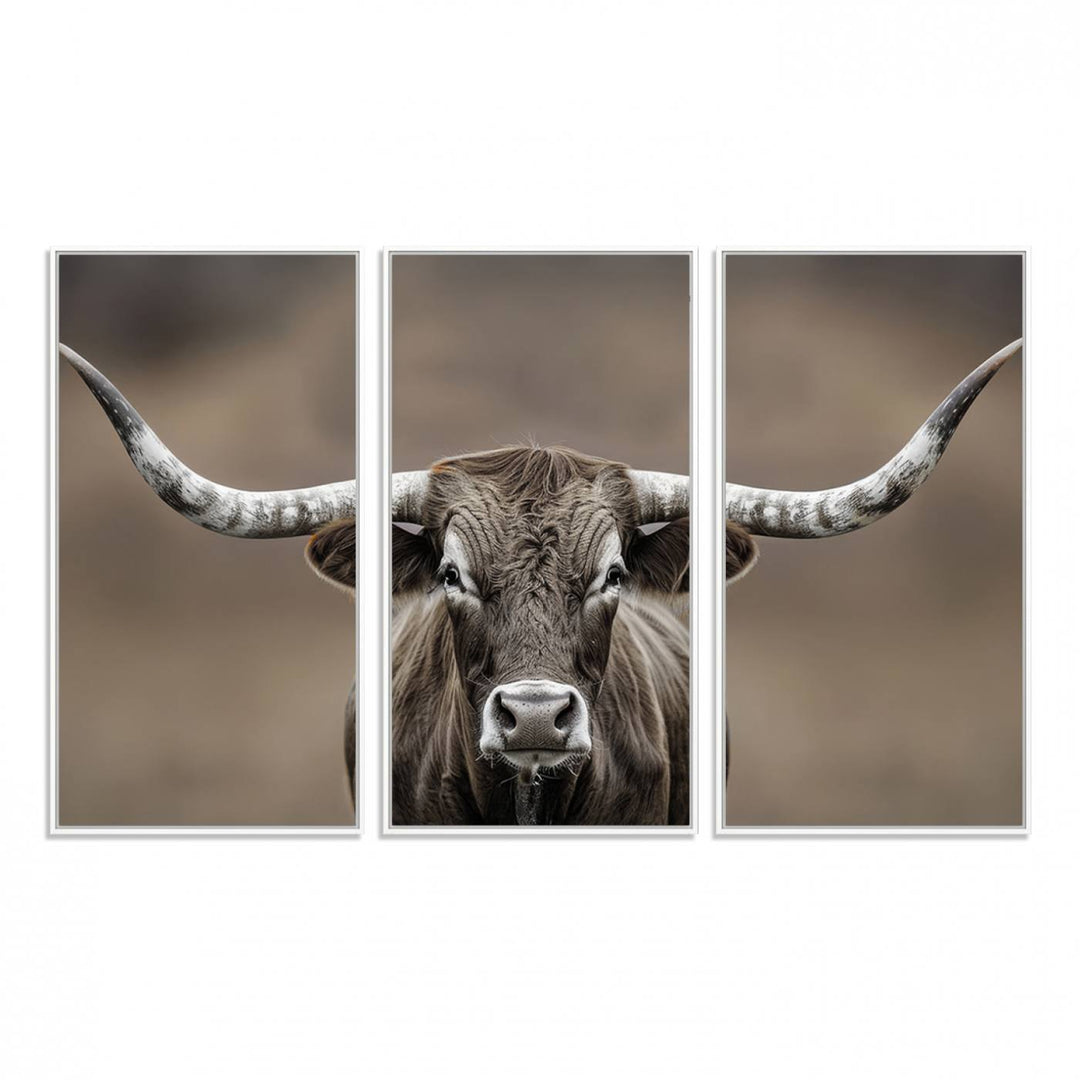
(541,539)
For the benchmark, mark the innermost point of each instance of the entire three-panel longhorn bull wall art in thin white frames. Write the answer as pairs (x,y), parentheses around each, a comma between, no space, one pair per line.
(542,574)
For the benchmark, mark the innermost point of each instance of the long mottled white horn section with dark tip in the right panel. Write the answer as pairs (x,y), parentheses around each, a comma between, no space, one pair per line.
(814,515)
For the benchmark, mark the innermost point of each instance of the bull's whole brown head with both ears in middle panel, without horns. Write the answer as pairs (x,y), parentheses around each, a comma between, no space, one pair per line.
(533,552)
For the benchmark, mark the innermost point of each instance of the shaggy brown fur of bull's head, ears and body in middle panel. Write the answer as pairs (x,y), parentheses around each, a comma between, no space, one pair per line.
(533,522)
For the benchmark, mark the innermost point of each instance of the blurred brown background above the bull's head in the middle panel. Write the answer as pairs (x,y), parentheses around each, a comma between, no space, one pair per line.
(587,352)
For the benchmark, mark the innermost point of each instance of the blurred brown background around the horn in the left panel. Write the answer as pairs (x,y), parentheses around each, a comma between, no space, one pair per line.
(202,679)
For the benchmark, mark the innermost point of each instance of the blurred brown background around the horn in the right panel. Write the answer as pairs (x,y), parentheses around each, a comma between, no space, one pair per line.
(876,679)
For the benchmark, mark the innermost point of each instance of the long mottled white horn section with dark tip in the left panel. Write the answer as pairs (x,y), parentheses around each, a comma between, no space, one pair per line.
(251,515)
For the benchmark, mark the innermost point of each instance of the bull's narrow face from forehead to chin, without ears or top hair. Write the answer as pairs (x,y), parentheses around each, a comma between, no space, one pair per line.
(533,623)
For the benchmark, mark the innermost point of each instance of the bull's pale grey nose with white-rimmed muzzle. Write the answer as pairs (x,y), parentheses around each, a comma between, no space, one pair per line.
(538,715)
